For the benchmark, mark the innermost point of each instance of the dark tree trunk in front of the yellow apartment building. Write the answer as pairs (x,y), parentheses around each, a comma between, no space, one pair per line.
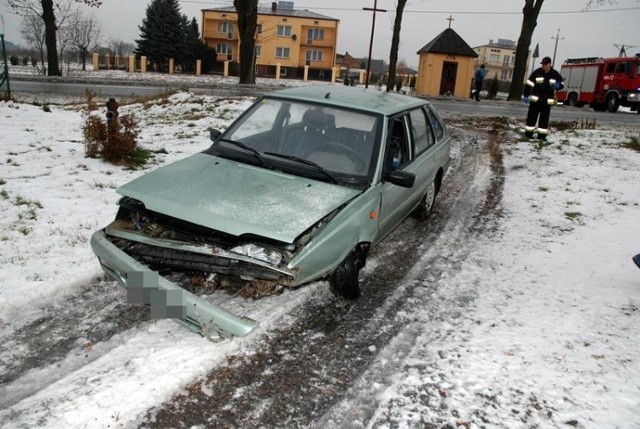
(247,22)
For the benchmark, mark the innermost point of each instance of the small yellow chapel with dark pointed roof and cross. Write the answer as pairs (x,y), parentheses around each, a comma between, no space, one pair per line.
(446,66)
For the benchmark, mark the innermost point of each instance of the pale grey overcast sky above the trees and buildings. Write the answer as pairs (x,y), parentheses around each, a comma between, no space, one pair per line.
(581,34)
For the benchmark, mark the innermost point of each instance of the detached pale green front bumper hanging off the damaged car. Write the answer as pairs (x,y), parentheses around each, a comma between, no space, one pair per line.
(167,299)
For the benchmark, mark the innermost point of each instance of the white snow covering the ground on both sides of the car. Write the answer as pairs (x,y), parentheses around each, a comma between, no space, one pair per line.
(551,322)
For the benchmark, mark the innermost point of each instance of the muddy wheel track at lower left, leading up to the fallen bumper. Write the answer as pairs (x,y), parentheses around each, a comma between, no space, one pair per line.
(68,326)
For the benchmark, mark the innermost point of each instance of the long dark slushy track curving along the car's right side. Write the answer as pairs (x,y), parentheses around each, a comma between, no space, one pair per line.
(300,371)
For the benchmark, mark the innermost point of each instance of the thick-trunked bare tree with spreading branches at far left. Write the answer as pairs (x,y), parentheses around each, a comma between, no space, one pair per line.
(47,10)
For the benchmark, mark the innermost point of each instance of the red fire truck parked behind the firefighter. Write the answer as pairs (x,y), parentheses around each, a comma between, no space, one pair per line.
(602,83)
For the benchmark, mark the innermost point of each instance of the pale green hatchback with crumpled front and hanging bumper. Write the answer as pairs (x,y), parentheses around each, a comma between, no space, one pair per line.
(297,189)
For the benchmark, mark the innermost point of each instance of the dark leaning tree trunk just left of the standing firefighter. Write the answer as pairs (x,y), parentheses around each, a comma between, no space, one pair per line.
(530,13)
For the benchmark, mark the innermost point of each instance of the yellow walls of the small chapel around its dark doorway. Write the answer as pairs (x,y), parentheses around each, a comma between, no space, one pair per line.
(430,74)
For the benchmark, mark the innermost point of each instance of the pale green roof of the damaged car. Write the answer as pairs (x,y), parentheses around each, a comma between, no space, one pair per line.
(371,99)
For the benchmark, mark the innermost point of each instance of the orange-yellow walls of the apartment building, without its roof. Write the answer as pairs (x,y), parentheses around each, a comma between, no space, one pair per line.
(270,44)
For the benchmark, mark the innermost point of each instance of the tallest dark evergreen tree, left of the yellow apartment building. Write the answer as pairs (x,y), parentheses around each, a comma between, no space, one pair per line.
(161,33)
